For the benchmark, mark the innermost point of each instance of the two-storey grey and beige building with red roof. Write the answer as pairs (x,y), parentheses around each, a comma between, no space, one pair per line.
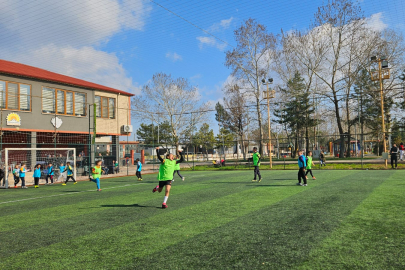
(44,109)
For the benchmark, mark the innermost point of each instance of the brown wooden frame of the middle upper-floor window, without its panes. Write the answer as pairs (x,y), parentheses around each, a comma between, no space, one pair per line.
(56,90)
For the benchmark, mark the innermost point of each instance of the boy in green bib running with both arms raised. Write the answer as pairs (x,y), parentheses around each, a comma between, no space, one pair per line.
(166,171)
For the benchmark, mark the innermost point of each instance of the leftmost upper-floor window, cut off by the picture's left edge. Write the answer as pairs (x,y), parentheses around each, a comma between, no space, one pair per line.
(15,96)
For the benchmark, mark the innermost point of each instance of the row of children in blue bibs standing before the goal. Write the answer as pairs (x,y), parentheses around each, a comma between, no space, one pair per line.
(19,174)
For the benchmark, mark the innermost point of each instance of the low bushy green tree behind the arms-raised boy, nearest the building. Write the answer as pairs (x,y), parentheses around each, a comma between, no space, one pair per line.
(153,134)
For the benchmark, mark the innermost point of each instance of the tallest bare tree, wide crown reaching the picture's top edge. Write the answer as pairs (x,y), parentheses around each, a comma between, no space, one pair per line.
(343,46)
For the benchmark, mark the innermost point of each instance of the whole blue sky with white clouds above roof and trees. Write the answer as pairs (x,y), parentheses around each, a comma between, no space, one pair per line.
(122,43)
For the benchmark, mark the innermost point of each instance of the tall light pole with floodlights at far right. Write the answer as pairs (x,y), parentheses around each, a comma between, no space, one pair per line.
(381,74)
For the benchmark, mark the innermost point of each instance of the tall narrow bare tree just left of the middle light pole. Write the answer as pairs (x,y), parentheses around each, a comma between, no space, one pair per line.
(250,61)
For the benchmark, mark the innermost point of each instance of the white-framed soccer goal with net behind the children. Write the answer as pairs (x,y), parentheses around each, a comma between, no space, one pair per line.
(11,157)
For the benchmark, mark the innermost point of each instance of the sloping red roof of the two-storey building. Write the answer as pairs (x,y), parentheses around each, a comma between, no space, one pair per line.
(21,70)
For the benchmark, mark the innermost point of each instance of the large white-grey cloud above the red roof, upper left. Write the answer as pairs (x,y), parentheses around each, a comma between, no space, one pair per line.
(62,36)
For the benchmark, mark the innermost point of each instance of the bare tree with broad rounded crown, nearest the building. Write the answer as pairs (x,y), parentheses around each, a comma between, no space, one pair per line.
(167,99)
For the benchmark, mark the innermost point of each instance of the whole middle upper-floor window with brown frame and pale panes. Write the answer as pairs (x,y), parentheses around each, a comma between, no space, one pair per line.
(65,102)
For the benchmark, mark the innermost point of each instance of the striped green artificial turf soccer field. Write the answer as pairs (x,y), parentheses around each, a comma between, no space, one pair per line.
(216,220)
